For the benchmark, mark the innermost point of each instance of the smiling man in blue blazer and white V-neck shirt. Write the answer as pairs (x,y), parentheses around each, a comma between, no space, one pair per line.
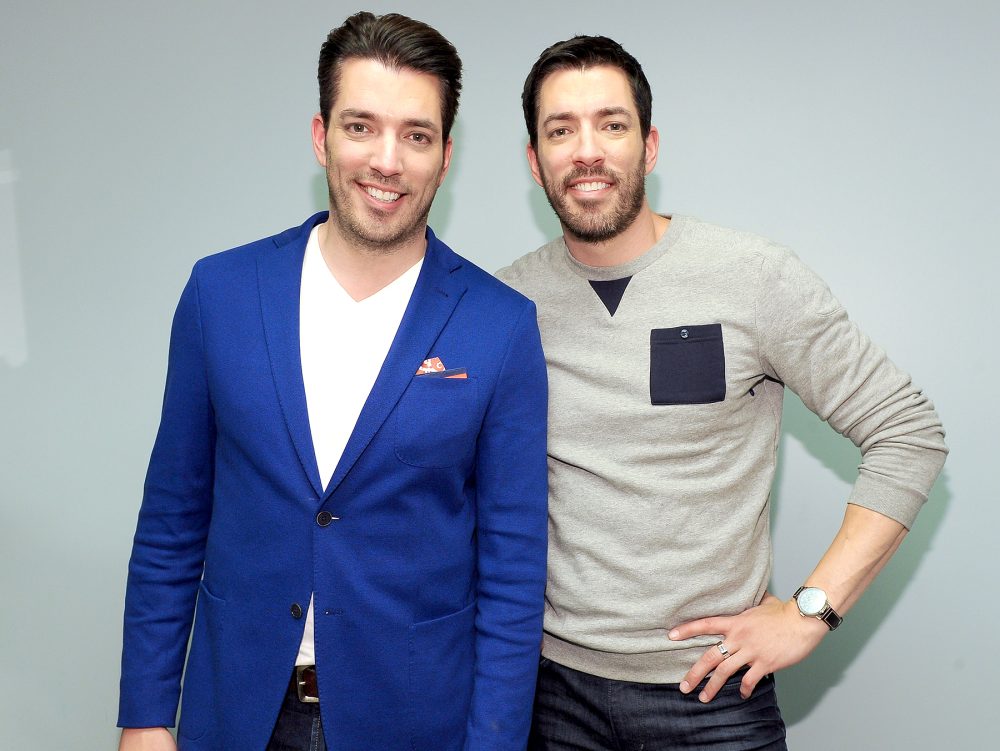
(348,488)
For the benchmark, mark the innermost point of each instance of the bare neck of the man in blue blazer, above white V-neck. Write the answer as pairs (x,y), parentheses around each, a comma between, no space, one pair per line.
(363,270)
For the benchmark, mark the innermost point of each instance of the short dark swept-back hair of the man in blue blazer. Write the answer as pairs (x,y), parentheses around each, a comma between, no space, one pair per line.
(397,42)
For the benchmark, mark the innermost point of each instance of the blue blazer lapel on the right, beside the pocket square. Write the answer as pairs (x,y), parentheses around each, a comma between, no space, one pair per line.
(434,298)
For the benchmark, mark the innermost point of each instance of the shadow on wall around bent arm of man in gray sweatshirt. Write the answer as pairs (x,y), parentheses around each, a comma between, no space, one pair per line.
(802,687)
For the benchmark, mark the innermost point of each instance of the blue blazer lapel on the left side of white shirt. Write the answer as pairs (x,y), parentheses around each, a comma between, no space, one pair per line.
(279,279)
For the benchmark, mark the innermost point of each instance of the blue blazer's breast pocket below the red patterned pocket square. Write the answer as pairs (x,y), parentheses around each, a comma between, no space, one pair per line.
(437,422)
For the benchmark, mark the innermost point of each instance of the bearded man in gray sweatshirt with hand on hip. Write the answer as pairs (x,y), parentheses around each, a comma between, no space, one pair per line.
(669,342)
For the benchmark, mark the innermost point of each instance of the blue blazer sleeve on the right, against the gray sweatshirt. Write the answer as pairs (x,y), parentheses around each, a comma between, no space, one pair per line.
(512,518)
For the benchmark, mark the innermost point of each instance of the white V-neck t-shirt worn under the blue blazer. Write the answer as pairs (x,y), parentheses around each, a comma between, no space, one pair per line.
(343,343)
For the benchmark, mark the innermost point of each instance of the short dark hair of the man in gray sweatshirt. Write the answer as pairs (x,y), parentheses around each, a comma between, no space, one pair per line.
(583,52)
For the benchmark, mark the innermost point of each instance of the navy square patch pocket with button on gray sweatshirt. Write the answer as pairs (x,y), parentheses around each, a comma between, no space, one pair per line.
(687,365)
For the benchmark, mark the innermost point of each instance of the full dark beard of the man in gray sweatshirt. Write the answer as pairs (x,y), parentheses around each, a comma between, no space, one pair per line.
(599,226)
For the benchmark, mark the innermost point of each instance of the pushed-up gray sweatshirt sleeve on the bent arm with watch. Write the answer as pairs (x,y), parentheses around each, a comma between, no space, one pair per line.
(808,342)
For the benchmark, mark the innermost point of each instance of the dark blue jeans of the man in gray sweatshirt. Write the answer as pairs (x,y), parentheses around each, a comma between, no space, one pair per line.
(576,711)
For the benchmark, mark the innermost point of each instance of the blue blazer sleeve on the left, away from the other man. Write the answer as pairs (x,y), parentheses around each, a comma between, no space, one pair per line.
(168,550)
